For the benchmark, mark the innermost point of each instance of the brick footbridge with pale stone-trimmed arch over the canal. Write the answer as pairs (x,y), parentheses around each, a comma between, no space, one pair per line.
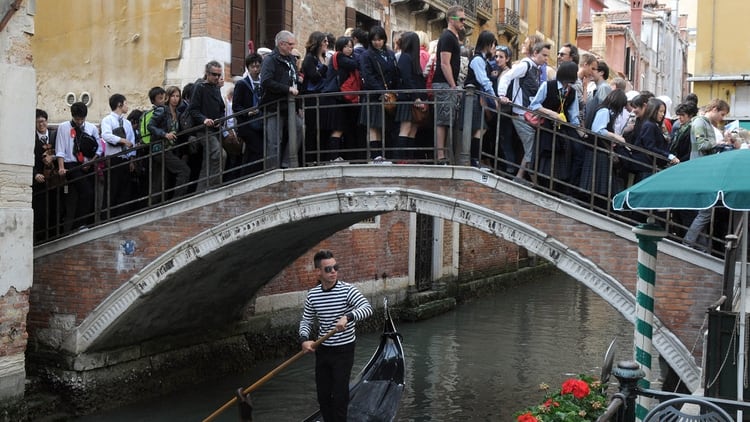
(192,250)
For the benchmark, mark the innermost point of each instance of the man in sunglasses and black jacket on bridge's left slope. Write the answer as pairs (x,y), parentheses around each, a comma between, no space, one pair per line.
(206,106)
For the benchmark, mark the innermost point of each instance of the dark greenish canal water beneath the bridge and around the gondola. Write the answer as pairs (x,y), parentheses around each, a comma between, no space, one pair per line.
(481,362)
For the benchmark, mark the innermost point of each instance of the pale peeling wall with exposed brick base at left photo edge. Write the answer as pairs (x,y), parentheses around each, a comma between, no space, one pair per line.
(16,160)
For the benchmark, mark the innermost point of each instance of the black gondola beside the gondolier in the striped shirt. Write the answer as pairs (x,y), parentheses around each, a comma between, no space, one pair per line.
(375,393)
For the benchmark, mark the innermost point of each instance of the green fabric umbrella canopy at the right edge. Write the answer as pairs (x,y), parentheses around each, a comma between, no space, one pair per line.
(695,184)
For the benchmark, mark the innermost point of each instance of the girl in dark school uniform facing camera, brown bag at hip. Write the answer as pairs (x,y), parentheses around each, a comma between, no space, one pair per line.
(379,73)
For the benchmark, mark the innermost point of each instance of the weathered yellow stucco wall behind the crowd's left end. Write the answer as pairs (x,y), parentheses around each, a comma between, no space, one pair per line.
(103,47)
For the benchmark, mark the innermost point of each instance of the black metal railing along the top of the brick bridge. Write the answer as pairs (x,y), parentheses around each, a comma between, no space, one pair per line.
(559,154)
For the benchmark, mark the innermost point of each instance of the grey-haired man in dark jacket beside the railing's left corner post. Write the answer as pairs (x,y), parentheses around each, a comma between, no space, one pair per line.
(279,78)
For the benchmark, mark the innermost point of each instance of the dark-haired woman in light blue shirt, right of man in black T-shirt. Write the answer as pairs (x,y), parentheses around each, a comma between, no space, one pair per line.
(479,76)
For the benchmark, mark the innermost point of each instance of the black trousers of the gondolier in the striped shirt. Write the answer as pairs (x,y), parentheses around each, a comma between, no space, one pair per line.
(333,368)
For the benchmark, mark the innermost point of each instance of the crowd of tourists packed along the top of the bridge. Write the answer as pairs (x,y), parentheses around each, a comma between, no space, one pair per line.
(244,122)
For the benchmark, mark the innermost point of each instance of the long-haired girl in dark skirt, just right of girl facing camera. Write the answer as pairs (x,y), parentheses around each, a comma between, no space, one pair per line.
(412,109)
